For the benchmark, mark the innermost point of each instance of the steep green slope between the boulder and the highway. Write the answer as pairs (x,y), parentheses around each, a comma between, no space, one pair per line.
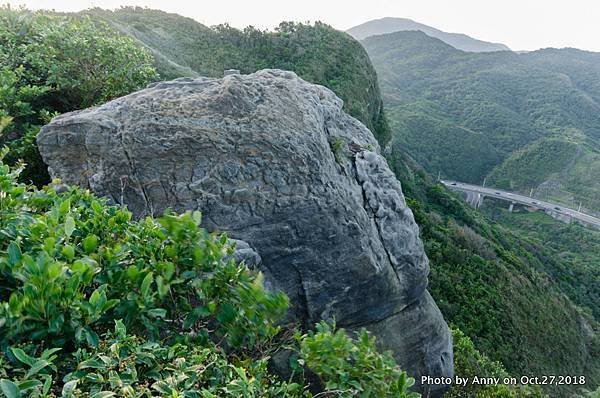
(510,295)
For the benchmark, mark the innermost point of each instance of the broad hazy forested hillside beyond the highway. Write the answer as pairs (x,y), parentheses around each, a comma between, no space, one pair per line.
(525,121)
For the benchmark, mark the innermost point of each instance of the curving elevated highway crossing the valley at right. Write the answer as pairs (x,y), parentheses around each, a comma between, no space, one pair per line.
(526,200)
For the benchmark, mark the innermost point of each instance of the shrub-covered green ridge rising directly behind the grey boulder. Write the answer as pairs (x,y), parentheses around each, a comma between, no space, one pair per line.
(317,53)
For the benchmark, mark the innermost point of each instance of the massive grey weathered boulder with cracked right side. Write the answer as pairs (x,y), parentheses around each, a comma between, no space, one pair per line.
(275,162)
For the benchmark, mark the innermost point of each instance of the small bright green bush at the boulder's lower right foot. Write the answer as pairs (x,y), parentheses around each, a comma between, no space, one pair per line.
(349,368)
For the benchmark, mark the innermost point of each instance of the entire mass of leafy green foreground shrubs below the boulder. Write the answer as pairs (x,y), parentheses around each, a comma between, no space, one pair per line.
(95,304)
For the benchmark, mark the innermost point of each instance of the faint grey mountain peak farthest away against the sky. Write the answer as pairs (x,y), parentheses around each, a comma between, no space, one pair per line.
(456,40)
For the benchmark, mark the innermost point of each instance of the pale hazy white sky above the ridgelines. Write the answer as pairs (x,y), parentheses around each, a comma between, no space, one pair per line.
(520,24)
